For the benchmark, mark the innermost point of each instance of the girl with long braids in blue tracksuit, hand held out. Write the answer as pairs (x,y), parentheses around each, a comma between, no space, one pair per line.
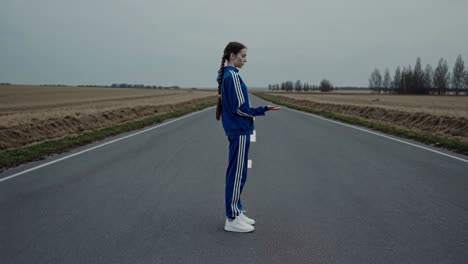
(237,117)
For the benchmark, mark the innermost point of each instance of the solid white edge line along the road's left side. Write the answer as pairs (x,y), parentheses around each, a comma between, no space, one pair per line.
(95,147)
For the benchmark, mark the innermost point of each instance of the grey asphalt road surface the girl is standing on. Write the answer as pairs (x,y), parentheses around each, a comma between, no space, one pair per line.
(320,191)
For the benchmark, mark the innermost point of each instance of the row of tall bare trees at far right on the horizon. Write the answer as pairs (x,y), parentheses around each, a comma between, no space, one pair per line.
(418,81)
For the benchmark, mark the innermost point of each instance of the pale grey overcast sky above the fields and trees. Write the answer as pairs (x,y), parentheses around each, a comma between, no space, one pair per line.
(180,42)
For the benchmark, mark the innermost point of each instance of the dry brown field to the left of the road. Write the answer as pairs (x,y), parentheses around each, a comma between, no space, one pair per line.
(31,114)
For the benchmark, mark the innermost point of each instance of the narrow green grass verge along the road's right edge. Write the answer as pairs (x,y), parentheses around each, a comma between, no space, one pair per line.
(454,145)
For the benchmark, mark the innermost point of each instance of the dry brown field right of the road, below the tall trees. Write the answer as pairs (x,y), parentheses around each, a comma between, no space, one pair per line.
(445,116)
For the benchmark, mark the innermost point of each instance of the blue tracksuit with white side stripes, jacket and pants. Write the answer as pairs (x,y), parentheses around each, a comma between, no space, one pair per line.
(237,117)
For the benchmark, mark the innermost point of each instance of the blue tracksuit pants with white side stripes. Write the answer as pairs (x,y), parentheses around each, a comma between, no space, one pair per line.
(236,174)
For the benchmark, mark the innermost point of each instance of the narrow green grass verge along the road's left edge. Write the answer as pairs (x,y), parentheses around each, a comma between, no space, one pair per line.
(13,157)
